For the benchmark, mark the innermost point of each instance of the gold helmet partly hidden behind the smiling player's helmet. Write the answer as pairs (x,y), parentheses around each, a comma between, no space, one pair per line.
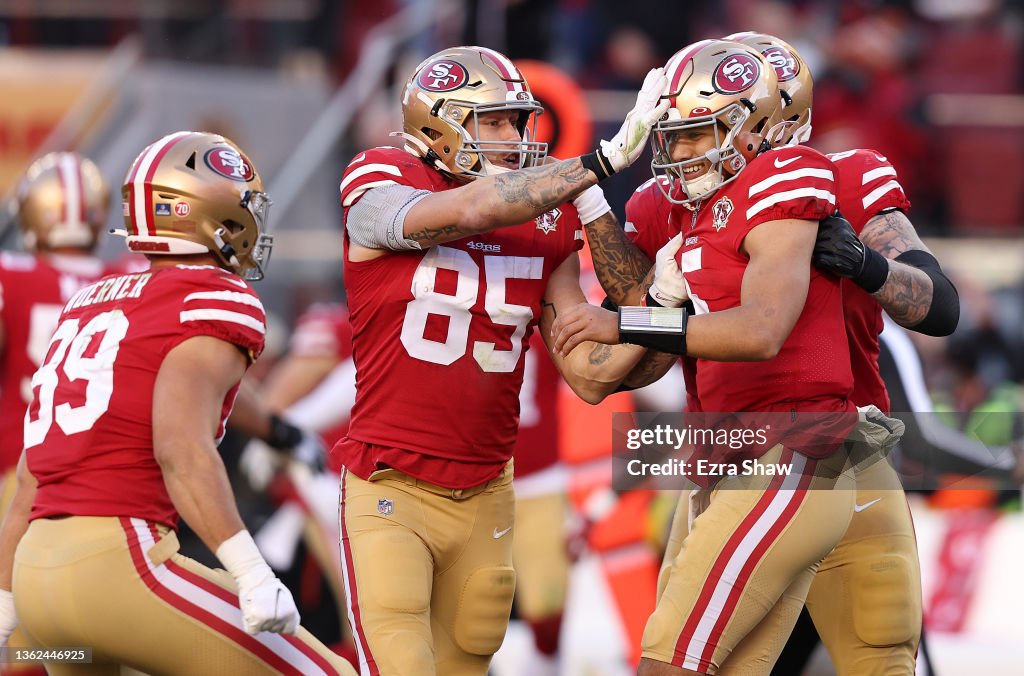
(795,83)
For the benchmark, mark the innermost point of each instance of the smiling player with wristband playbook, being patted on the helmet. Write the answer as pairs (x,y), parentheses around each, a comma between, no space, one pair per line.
(769,334)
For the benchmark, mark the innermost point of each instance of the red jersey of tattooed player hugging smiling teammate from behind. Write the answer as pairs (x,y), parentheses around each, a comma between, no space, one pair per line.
(868,185)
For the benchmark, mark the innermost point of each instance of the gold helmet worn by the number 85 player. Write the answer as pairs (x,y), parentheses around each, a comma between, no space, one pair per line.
(443,100)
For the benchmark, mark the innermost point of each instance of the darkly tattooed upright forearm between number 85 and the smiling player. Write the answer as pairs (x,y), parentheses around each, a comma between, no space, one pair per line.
(622,269)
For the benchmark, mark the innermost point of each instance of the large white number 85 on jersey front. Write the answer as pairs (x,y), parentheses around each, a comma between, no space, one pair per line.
(457,308)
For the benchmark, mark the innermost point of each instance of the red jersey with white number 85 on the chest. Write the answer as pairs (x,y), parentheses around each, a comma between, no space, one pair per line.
(439,336)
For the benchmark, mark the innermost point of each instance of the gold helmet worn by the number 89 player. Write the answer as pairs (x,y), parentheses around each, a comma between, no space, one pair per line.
(193,193)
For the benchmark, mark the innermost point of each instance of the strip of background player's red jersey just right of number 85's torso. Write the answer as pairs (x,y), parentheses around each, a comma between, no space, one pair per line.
(537,446)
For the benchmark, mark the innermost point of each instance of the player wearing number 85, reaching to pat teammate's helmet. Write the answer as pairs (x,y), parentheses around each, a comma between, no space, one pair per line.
(456,247)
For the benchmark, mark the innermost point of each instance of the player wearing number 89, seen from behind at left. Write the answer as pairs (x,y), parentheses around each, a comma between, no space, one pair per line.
(121,439)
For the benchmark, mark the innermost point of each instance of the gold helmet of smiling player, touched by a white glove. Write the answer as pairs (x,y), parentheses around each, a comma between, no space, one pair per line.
(726,87)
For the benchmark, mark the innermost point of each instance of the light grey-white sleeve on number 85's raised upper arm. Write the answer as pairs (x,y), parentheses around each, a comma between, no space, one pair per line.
(378,220)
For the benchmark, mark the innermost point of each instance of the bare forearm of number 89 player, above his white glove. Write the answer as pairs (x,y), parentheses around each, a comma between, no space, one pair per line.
(198,485)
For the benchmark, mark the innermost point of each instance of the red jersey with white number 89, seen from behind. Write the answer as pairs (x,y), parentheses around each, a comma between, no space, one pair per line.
(89,433)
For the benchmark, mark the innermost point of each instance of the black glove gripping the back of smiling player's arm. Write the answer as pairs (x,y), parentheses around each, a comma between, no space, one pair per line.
(840,251)
